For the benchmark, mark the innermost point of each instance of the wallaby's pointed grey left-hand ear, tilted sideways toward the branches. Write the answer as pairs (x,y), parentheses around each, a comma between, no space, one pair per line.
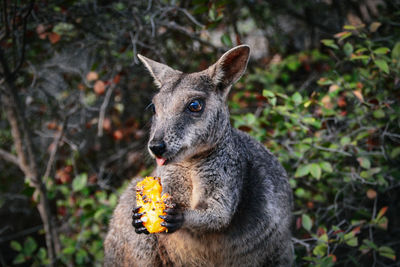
(159,71)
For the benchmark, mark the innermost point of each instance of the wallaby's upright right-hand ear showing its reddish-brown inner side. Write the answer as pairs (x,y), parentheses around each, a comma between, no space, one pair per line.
(230,67)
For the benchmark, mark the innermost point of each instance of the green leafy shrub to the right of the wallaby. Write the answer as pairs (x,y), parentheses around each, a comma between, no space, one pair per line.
(337,135)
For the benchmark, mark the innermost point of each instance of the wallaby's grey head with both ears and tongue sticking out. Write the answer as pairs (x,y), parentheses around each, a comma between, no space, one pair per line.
(190,110)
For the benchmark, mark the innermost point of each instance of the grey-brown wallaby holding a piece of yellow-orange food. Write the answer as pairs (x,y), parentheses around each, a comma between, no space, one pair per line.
(233,200)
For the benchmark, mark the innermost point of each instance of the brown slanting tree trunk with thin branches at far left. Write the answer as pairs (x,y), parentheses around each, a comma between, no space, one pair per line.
(24,147)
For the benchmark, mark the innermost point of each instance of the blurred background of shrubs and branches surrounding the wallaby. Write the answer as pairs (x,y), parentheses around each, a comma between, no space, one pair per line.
(321,91)
